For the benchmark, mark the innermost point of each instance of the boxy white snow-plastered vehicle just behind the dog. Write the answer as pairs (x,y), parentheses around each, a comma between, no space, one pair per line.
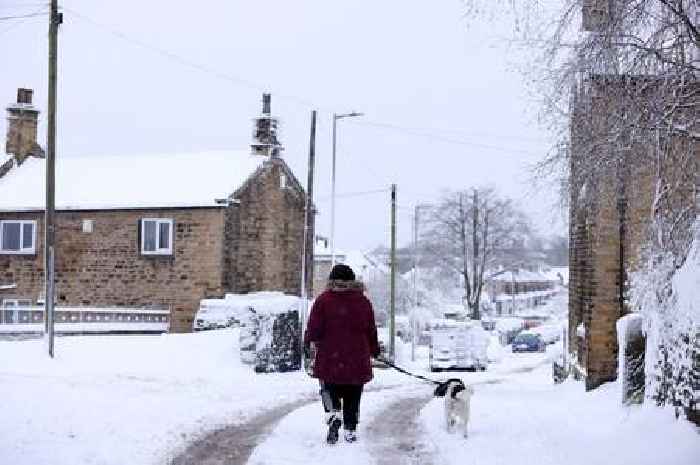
(458,346)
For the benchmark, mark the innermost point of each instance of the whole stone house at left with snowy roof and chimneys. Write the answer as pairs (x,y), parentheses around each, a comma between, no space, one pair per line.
(154,230)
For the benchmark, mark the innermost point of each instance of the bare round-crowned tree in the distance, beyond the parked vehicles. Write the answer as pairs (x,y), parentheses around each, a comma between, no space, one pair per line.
(470,232)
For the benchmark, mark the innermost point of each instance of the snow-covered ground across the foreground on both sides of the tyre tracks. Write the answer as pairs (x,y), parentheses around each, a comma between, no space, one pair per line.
(144,399)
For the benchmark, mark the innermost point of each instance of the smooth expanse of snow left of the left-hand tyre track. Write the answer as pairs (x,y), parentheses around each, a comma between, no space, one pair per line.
(131,399)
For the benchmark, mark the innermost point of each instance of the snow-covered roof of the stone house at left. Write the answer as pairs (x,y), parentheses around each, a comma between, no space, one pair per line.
(130,181)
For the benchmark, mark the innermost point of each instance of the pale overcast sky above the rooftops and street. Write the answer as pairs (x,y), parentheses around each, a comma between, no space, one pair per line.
(444,107)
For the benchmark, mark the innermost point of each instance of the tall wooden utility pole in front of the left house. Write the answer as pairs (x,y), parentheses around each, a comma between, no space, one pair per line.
(55,19)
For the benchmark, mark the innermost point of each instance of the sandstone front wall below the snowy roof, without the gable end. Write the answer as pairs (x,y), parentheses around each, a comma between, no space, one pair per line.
(105,267)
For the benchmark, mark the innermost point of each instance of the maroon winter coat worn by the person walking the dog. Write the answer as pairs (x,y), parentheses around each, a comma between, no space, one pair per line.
(342,326)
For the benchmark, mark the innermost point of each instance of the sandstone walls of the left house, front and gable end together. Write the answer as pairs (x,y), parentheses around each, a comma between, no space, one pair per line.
(252,245)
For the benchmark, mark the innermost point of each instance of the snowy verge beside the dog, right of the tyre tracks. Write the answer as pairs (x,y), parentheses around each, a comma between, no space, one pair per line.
(530,421)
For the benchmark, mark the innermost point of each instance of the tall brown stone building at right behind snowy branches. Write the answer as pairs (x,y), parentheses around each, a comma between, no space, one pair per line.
(613,183)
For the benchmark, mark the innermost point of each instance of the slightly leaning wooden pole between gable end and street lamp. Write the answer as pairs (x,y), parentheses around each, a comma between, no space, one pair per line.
(308,245)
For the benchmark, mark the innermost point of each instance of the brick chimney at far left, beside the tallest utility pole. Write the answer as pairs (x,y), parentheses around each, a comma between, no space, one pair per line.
(22,120)
